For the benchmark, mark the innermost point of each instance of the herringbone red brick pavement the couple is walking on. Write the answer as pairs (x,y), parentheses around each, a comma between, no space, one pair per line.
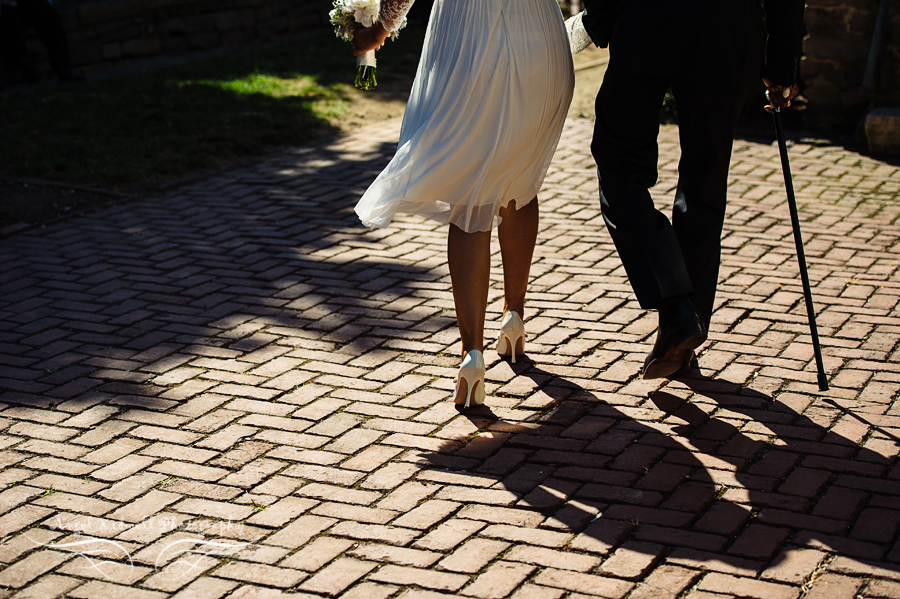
(235,390)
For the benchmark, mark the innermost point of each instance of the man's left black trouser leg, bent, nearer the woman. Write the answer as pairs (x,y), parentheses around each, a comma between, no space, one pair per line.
(625,148)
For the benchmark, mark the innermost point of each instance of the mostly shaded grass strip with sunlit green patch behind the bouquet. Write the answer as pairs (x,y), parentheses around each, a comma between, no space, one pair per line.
(188,118)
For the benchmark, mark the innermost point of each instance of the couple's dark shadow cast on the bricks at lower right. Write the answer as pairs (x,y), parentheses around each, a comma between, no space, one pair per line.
(710,492)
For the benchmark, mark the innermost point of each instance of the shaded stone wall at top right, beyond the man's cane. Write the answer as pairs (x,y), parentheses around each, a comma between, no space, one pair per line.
(835,51)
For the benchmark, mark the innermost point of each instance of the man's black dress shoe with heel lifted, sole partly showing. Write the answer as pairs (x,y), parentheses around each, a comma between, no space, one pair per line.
(680,331)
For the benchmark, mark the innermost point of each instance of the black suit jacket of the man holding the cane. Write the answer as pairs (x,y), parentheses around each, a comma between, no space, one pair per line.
(707,40)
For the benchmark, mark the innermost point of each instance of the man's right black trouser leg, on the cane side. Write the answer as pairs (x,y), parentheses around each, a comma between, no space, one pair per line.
(707,119)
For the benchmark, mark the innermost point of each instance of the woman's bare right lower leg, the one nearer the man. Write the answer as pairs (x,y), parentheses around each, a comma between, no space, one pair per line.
(518,234)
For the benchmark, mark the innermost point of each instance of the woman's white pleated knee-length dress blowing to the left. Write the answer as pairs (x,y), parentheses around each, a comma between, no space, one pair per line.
(484,116)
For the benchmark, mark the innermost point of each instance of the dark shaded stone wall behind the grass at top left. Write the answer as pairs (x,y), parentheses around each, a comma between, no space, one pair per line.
(111,31)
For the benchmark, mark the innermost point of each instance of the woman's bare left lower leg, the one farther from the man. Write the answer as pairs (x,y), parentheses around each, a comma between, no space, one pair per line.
(469,256)
